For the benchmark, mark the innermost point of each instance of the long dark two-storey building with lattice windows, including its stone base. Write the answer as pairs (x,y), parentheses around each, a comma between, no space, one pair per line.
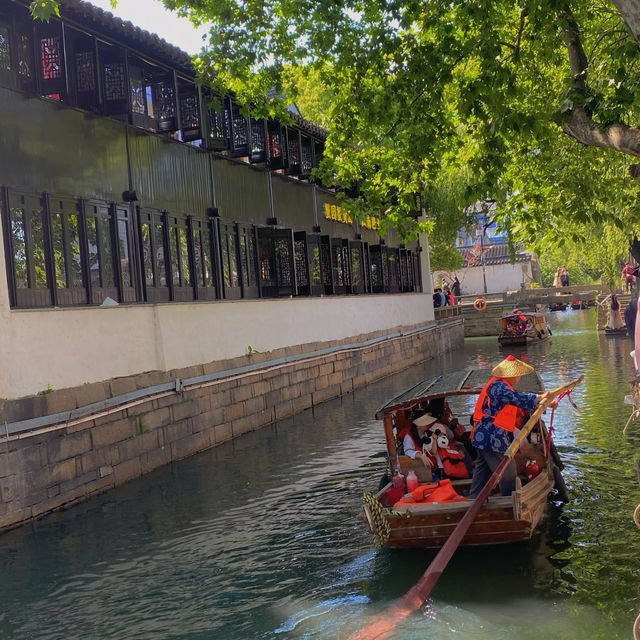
(175,274)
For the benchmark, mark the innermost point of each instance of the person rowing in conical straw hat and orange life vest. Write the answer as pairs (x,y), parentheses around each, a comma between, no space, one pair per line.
(494,423)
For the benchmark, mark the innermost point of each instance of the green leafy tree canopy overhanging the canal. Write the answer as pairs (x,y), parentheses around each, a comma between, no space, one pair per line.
(535,104)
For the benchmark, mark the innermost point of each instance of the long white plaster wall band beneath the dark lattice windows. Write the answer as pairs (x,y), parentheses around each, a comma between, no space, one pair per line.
(68,347)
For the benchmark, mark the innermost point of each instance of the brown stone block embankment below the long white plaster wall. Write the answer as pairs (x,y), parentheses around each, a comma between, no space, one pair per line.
(103,434)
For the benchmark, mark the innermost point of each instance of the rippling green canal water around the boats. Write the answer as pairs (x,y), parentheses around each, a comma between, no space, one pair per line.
(261,538)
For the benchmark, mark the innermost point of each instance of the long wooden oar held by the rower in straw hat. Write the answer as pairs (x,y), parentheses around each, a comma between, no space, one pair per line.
(382,624)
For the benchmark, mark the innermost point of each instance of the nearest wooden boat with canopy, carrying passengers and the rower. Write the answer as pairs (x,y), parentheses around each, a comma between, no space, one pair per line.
(502,519)
